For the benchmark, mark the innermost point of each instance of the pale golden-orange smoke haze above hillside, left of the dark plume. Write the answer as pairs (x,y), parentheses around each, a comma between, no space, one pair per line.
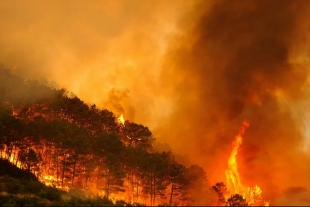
(107,53)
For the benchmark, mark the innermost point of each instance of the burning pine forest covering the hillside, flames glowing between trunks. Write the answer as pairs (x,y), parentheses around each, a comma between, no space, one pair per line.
(69,145)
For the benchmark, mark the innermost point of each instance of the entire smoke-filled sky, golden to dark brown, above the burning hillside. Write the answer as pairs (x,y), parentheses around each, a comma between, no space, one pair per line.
(192,71)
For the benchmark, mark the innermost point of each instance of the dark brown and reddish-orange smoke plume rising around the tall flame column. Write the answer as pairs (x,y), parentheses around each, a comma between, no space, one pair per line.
(238,62)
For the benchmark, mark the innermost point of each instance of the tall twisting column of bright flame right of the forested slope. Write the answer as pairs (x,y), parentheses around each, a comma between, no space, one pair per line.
(251,194)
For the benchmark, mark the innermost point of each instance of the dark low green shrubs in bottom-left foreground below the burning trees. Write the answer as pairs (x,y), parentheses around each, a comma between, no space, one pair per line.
(20,188)
